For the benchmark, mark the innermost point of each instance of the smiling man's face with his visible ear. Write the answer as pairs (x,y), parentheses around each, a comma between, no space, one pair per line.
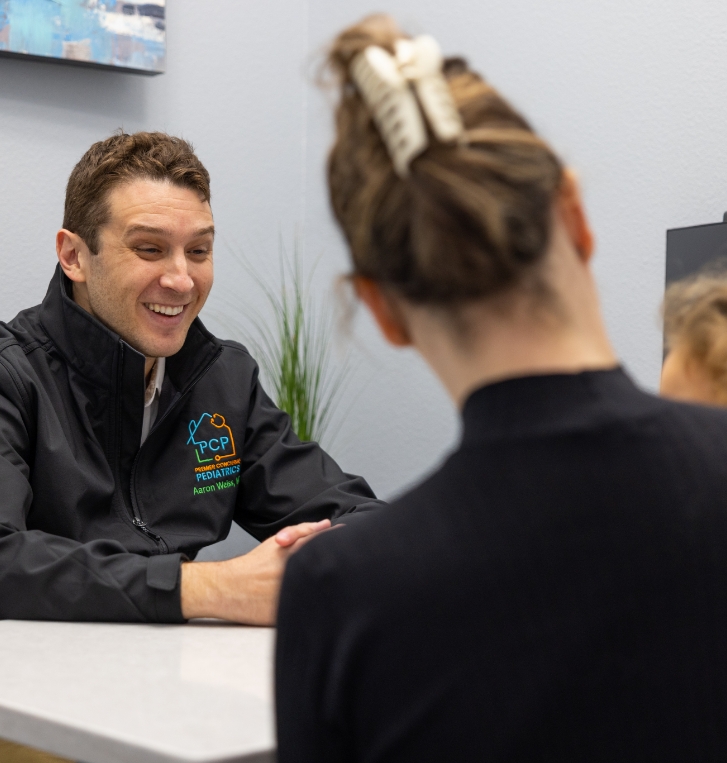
(153,271)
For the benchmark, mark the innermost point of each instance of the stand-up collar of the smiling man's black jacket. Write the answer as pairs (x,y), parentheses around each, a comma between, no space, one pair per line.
(96,352)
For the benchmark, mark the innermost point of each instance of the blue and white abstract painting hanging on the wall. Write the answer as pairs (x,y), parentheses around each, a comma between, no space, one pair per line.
(112,34)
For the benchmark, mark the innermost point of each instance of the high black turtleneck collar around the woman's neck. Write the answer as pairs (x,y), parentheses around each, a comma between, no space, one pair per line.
(534,406)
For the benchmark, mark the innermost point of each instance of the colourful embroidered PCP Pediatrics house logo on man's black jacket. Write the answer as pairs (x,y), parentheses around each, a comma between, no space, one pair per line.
(214,447)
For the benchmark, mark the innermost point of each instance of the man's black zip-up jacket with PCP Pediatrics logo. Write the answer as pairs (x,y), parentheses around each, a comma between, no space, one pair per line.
(94,527)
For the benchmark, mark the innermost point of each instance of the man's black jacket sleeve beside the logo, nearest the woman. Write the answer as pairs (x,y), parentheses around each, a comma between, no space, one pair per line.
(285,481)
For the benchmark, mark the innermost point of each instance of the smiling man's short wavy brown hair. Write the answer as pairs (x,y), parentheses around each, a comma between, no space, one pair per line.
(119,159)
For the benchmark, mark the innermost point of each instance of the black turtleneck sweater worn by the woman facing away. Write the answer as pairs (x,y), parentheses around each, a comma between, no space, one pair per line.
(557,591)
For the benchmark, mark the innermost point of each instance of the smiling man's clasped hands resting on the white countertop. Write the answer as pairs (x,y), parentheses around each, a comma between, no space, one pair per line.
(244,589)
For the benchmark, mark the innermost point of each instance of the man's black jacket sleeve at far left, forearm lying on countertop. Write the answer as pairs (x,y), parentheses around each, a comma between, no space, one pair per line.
(48,577)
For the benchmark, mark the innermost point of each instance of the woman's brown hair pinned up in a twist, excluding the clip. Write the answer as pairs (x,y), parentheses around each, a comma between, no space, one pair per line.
(470,220)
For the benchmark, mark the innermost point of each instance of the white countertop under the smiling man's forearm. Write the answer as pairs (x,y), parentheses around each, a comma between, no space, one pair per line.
(108,693)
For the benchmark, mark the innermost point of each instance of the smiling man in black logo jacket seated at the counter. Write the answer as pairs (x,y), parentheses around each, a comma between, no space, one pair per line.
(130,437)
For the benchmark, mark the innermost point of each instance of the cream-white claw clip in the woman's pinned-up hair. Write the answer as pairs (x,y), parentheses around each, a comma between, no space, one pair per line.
(383,81)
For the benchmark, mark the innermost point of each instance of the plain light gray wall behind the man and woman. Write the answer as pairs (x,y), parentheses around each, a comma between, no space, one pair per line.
(631,93)
